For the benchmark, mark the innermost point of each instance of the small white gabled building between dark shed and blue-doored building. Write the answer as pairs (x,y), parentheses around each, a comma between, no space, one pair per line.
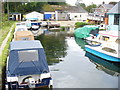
(34,16)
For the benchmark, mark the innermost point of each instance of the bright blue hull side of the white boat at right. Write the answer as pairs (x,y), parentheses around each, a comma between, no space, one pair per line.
(102,55)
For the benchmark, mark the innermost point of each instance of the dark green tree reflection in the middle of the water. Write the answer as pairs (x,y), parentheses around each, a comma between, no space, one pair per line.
(55,46)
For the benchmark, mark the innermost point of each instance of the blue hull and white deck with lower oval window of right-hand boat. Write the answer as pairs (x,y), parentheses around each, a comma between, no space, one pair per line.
(103,53)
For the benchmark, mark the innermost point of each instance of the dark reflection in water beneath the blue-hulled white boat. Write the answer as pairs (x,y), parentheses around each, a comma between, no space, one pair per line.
(101,64)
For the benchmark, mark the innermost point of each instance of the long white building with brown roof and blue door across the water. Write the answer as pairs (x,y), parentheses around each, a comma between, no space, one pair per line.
(64,12)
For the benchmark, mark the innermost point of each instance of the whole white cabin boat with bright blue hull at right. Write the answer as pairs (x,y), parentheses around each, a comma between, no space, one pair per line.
(108,49)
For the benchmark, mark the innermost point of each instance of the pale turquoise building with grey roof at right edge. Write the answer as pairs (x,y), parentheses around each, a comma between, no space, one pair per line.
(114,17)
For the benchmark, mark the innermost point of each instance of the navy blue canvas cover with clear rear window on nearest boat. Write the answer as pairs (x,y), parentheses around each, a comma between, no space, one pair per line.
(26,58)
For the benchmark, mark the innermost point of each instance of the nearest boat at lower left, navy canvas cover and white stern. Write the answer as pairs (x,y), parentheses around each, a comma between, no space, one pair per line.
(27,66)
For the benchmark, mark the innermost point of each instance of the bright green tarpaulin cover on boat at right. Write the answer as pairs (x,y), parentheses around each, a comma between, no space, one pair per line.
(86,31)
